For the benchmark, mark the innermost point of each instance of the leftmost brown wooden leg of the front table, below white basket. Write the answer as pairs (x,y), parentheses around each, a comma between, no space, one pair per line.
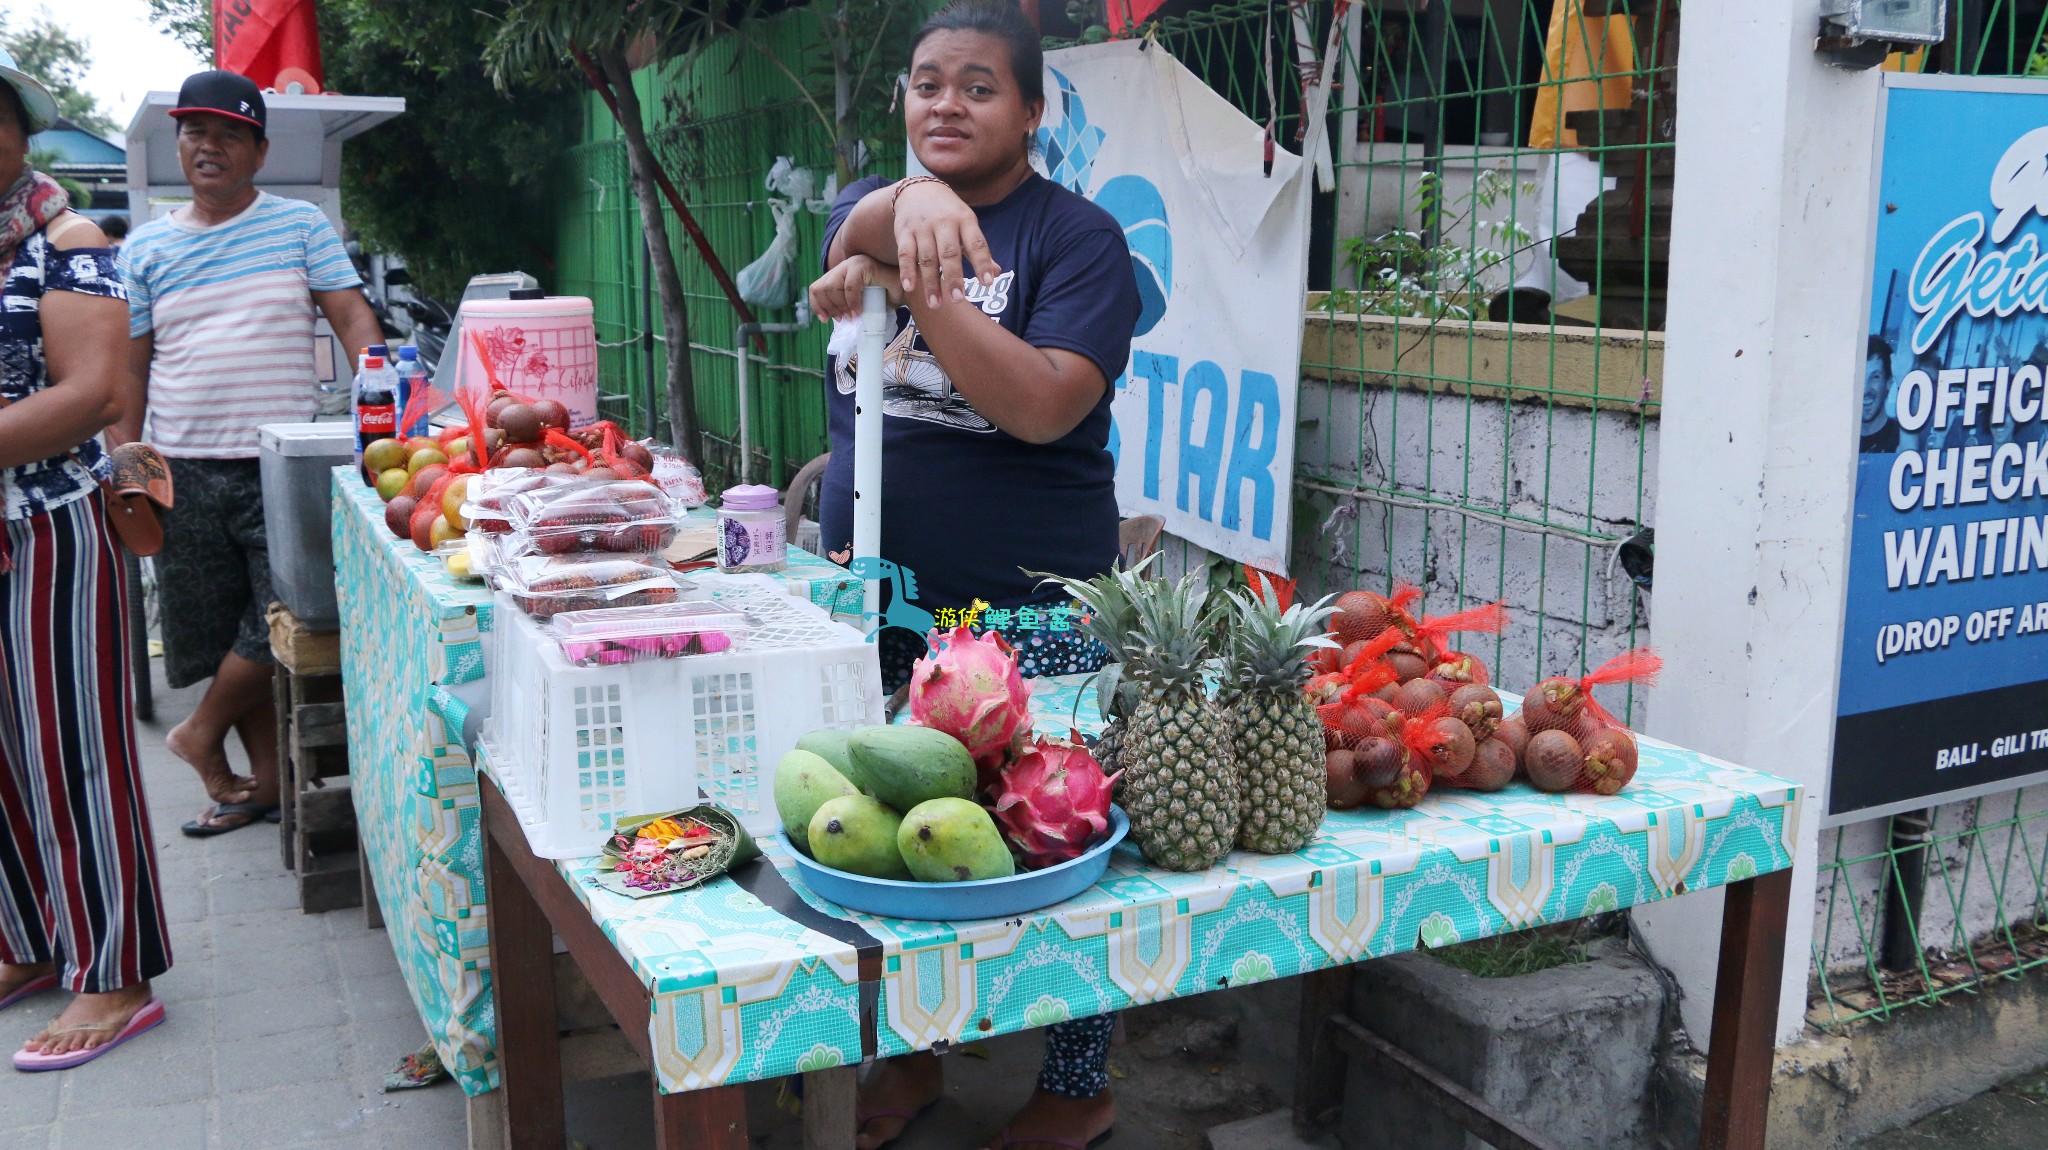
(523,985)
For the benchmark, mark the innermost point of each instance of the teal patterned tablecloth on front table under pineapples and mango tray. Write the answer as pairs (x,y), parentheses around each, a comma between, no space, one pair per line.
(744,993)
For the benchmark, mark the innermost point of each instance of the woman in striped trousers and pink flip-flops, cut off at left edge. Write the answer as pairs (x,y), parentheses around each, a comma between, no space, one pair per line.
(79,887)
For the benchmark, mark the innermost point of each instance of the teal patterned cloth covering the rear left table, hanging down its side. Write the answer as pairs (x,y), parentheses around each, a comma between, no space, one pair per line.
(413,658)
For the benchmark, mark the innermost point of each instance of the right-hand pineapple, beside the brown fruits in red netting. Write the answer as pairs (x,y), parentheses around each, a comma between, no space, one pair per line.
(1277,740)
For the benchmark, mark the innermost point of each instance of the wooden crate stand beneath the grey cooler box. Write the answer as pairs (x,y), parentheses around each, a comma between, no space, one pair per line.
(318,817)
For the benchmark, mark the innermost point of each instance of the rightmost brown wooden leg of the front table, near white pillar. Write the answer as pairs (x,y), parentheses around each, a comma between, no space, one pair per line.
(1746,1014)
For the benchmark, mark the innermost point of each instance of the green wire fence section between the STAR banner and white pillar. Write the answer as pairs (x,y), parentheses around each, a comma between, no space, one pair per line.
(1480,441)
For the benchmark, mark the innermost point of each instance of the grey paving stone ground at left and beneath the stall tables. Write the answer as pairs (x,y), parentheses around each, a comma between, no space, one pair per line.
(284,1026)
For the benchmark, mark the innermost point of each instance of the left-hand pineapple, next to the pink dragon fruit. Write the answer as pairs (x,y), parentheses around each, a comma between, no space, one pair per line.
(1179,787)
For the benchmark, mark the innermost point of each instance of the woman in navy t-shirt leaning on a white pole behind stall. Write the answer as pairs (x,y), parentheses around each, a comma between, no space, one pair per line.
(1017,308)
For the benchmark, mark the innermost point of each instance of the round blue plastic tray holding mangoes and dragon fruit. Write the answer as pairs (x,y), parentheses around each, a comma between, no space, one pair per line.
(959,901)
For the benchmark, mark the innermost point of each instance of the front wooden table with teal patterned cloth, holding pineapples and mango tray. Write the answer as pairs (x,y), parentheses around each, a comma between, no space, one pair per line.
(753,977)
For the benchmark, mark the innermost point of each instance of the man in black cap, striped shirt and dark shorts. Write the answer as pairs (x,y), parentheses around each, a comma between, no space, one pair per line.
(222,300)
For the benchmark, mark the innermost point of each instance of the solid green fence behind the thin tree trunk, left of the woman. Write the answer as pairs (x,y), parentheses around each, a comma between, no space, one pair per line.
(722,120)
